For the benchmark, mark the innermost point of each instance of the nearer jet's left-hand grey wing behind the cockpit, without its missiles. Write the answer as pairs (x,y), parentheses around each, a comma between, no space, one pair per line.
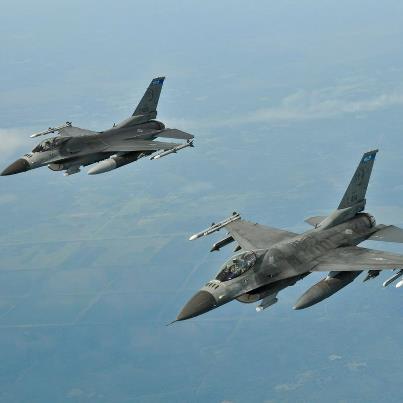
(255,236)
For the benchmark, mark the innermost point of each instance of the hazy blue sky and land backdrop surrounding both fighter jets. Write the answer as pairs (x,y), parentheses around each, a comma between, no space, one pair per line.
(283,98)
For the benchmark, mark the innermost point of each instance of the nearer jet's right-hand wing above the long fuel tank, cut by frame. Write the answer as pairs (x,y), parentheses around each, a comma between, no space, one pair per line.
(354,258)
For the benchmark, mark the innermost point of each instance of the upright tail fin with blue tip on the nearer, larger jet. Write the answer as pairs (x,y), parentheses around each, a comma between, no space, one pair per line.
(357,188)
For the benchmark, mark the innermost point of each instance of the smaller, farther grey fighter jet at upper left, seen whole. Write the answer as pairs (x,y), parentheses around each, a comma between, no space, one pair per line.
(120,145)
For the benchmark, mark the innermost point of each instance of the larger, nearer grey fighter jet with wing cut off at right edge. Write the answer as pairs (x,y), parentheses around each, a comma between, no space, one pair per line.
(271,259)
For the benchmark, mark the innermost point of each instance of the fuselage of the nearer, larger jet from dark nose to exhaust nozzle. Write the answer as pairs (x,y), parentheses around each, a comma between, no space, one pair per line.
(279,266)
